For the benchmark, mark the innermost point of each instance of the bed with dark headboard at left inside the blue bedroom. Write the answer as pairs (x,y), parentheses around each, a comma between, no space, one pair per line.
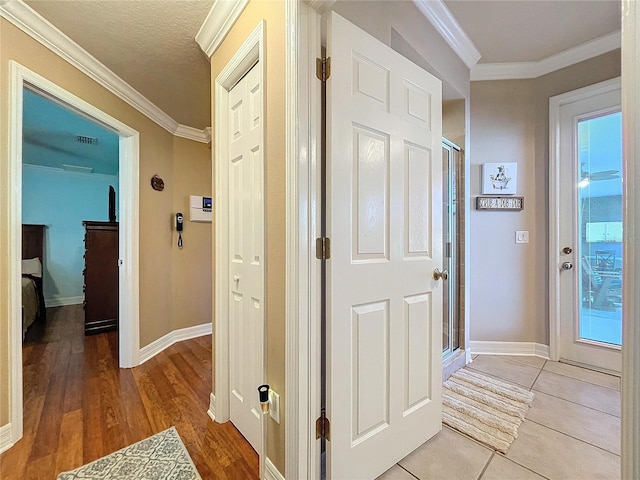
(33,307)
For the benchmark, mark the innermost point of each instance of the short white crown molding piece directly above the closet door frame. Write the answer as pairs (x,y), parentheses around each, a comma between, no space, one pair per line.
(219,21)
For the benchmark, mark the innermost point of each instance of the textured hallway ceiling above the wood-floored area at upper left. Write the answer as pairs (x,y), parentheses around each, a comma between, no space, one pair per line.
(149,44)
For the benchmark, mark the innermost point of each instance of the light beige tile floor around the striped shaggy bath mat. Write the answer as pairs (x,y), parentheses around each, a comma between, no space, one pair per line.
(571,432)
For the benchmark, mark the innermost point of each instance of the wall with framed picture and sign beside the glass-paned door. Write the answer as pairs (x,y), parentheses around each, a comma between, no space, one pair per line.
(510,122)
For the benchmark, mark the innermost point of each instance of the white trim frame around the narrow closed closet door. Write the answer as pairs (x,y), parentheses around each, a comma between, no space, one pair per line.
(250,53)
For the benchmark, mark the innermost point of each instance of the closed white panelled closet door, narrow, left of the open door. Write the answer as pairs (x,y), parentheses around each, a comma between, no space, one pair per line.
(246,255)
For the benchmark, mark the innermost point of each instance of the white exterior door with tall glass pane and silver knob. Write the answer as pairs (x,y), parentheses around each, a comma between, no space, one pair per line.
(589,254)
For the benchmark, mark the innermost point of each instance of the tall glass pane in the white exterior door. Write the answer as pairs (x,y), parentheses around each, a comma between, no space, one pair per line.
(600,228)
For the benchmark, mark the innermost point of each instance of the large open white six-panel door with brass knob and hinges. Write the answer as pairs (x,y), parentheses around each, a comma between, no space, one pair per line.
(384,174)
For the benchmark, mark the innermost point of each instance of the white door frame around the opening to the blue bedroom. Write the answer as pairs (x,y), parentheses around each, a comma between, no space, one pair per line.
(23,83)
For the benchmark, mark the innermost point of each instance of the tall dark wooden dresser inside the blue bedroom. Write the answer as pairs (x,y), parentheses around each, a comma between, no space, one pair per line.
(100,277)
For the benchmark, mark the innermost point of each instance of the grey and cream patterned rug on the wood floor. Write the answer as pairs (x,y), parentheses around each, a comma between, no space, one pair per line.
(162,456)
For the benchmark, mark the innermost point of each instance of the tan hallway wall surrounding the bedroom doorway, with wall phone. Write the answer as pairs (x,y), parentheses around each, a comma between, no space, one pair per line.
(181,163)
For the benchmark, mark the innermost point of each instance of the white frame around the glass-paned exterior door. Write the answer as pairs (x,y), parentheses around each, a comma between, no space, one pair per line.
(555,104)
